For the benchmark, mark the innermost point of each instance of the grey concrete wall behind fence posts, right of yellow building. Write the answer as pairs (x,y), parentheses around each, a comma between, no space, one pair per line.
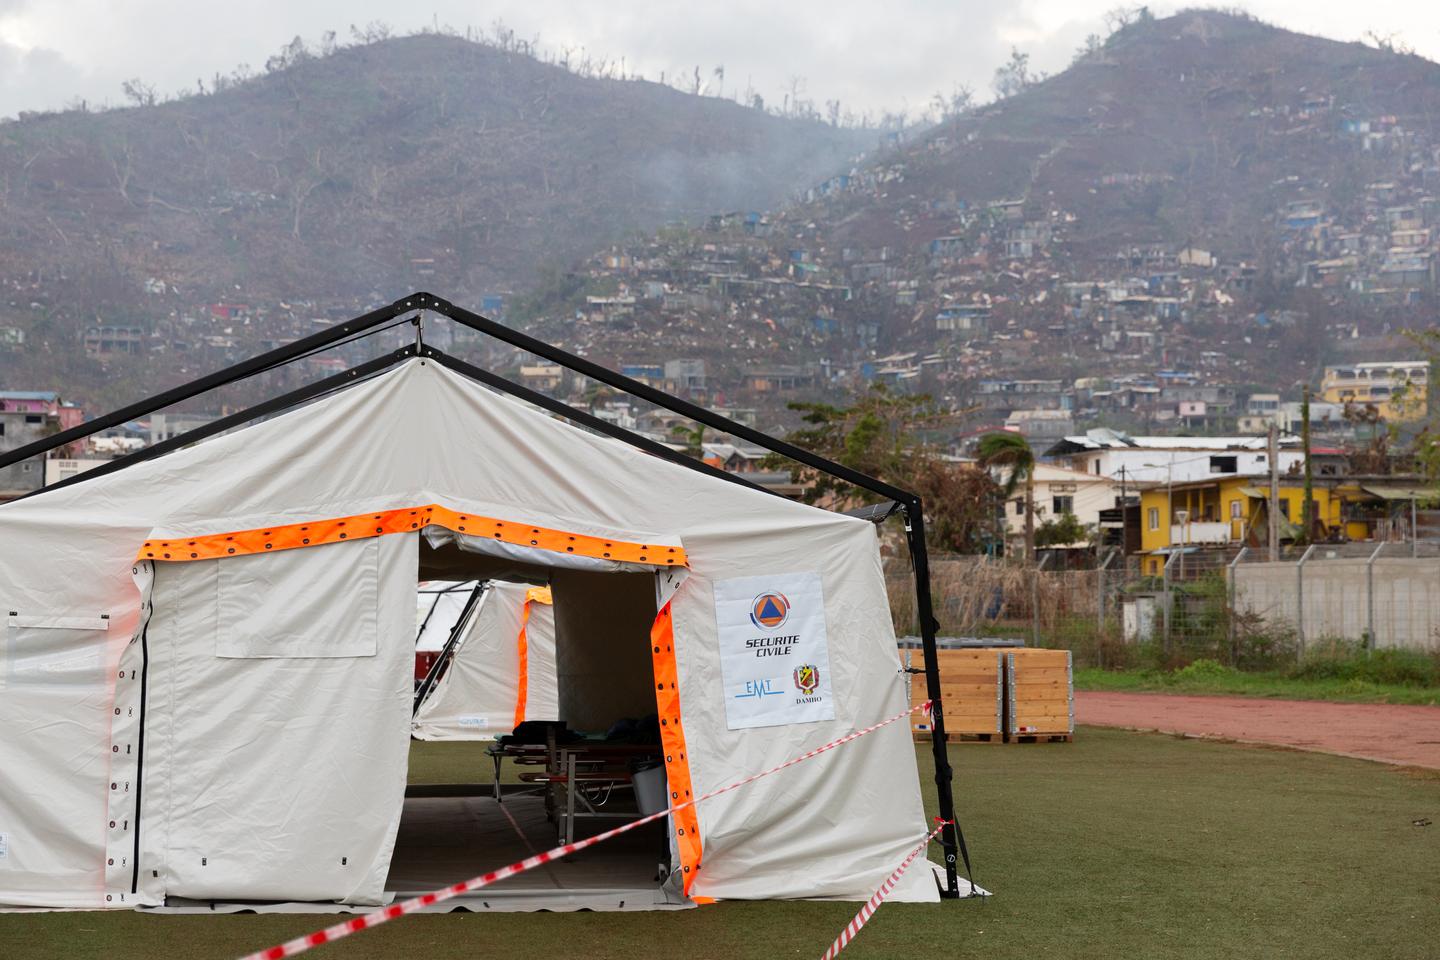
(1336,601)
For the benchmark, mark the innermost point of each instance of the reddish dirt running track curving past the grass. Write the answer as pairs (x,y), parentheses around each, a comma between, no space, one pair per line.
(1372,732)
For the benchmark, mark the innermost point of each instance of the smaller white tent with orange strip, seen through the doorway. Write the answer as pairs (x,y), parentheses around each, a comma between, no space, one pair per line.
(500,670)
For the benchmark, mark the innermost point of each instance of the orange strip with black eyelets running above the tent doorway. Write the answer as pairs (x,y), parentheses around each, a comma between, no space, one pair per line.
(405,520)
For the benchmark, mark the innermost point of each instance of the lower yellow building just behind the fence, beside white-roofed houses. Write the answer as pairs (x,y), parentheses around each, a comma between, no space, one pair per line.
(1230,512)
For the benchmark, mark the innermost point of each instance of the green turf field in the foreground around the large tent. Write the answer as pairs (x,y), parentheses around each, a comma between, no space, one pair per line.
(1118,846)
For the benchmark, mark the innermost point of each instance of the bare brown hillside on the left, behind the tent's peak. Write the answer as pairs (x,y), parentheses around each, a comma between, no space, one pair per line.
(345,179)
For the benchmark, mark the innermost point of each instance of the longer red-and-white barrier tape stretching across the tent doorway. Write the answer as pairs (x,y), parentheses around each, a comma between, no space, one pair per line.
(375,919)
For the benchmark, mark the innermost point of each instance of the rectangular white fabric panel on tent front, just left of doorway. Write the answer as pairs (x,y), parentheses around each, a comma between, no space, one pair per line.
(299,604)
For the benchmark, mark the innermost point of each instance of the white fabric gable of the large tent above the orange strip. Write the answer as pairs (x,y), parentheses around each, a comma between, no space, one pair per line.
(418,434)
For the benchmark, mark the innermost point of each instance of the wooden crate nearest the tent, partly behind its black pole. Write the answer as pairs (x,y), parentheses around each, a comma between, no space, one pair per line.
(971,690)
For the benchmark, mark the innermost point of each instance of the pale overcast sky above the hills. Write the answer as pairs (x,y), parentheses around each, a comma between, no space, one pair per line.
(869,55)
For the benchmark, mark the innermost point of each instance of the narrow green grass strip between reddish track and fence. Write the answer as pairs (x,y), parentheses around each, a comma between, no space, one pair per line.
(1256,684)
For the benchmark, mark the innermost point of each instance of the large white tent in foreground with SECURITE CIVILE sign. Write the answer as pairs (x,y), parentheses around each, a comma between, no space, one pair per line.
(207,676)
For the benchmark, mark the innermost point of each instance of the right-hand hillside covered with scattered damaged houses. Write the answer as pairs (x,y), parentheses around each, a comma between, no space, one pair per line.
(1203,208)
